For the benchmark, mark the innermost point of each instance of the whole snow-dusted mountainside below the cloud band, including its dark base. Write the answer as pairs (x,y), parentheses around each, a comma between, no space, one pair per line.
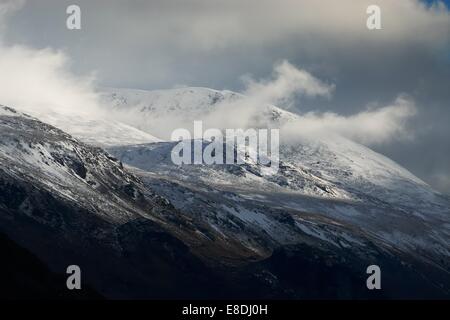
(150,229)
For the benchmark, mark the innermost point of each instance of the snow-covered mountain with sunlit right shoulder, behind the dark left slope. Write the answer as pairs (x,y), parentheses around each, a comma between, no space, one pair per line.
(334,192)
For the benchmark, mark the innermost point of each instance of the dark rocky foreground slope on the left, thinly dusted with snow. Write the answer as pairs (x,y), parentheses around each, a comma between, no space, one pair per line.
(70,203)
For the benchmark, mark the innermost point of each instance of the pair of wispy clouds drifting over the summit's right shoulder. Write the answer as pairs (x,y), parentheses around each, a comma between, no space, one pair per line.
(372,126)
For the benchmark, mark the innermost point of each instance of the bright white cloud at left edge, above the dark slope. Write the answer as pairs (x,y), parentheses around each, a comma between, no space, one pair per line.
(39,80)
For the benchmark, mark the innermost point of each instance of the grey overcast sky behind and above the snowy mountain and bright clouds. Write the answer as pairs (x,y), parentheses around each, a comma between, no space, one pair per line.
(161,44)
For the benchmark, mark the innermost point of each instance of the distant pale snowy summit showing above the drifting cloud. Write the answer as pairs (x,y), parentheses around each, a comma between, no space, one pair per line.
(159,112)
